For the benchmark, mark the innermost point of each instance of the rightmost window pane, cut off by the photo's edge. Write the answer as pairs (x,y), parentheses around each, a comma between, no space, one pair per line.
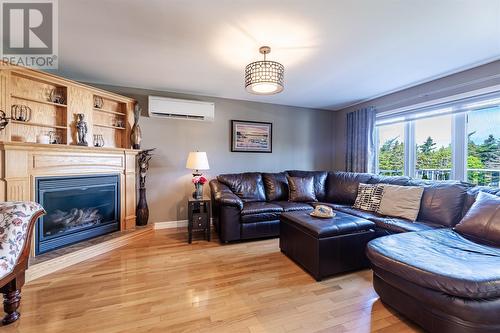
(483,160)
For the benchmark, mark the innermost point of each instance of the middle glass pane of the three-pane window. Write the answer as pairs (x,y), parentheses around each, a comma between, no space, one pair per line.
(433,140)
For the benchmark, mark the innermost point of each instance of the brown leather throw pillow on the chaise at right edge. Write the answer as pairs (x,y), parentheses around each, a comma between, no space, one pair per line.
(483,218)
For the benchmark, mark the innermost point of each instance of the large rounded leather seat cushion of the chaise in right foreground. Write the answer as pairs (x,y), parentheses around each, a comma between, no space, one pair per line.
(440,260)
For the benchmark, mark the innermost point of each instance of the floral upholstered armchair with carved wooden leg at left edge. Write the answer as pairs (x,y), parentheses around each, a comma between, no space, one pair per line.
(17,220)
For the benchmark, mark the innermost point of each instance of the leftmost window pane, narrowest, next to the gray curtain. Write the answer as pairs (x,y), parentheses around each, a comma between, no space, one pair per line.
(391,151)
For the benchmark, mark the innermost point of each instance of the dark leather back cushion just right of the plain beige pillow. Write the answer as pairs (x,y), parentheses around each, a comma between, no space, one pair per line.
(442,202)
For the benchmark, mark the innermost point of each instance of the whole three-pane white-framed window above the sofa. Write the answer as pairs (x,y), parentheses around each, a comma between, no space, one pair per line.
(455,140)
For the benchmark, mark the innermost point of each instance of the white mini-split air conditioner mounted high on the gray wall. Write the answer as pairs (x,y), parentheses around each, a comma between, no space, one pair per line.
(174,108)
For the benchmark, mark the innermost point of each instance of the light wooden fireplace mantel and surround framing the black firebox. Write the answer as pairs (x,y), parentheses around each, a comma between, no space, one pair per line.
(22,163)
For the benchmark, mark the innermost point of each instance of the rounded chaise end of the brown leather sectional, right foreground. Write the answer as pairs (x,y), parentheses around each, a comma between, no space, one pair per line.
(445,280)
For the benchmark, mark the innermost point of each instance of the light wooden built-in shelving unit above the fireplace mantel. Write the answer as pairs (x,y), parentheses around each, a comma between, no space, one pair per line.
(23,87)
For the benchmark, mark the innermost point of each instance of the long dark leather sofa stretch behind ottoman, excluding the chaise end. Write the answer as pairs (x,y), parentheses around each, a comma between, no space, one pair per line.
(248,205)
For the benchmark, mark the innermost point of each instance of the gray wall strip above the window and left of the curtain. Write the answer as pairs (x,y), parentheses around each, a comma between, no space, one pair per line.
(469,80)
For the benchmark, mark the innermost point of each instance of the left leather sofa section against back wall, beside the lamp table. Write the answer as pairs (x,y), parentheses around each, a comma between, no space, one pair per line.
(248,205)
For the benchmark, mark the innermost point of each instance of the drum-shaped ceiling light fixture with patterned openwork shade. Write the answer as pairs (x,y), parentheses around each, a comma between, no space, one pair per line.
(264,77)
